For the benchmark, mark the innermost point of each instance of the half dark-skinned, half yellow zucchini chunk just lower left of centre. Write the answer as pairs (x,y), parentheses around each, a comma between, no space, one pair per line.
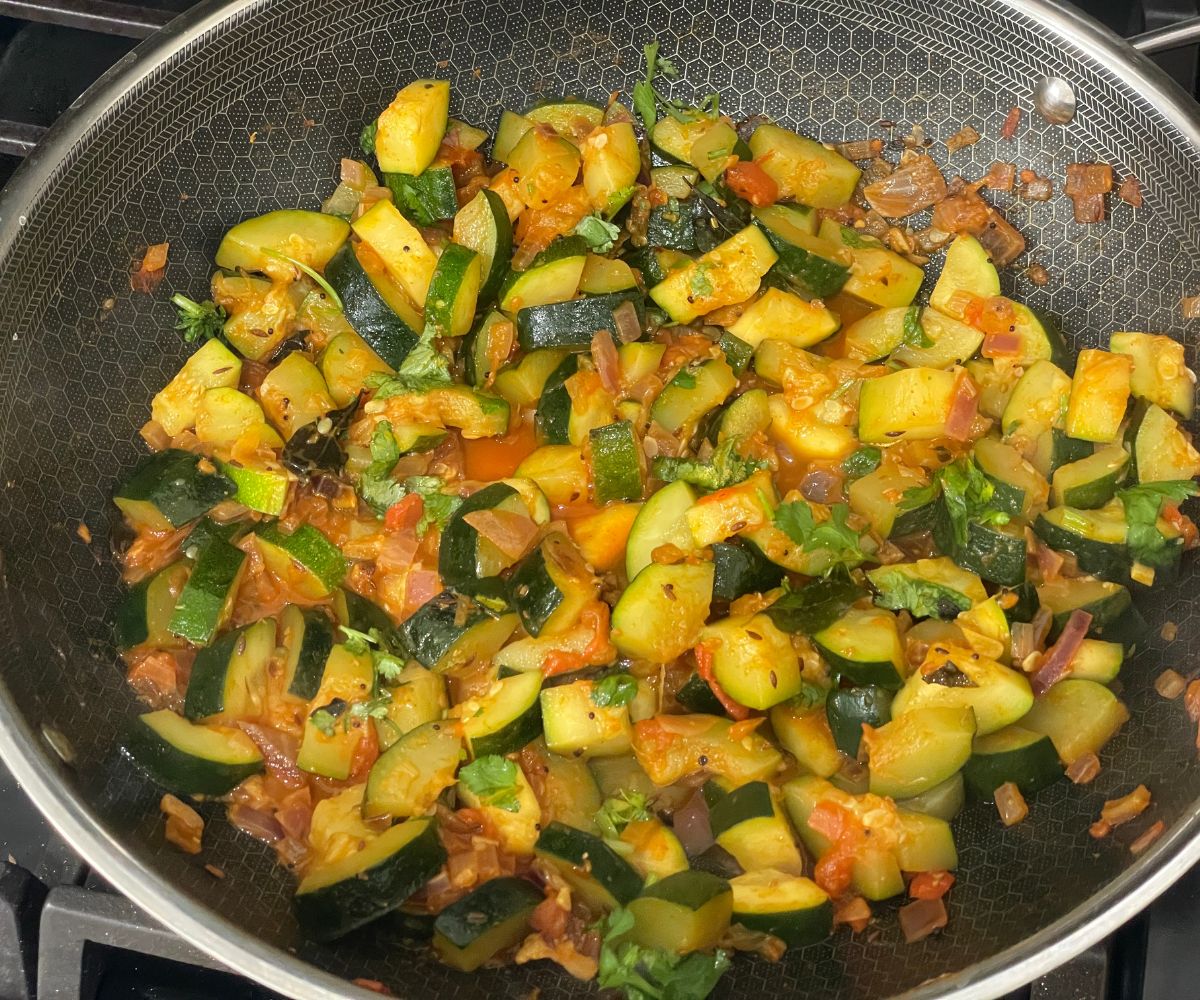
(439,638)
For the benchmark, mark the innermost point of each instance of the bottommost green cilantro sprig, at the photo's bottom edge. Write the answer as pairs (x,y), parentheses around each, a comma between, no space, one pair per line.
(651,974)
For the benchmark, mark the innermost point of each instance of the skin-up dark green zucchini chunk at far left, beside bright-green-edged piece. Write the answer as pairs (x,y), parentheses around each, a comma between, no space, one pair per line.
(170,489)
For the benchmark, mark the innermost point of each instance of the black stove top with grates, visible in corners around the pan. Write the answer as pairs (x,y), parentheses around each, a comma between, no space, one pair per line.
(65,935)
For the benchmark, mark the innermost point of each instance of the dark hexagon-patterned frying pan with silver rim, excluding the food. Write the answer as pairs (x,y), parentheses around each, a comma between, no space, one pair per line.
(243,109)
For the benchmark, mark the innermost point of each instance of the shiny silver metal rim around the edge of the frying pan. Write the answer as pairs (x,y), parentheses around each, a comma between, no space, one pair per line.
(37,771)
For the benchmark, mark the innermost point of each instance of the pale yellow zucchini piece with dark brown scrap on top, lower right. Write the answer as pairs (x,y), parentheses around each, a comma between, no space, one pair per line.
(957,678)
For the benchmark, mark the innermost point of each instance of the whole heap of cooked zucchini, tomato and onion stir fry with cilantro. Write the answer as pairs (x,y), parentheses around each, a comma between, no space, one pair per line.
(596,553)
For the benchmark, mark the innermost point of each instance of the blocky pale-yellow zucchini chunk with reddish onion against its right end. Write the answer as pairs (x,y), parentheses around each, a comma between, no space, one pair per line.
(908,405)
